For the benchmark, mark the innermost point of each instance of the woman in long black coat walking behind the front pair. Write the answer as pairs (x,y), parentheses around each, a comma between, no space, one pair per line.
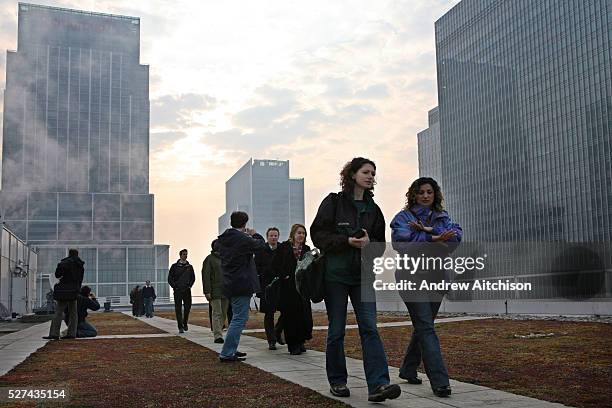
(296,312)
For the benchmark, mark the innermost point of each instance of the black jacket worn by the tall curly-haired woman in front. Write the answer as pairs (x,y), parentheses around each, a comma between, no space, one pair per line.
(337,219)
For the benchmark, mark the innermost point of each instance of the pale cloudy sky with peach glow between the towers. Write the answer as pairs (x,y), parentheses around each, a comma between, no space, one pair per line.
(312,82)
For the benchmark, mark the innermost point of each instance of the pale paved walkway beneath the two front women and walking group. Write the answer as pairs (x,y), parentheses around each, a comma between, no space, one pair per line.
(308,370)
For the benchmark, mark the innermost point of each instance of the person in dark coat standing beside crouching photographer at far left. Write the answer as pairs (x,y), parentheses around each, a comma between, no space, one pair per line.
(70,272)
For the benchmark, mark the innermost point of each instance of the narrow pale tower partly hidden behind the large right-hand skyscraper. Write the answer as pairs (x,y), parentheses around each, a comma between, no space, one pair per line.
(429,148)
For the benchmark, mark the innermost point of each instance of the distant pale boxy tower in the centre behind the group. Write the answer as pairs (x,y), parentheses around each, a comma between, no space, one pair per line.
(263,189)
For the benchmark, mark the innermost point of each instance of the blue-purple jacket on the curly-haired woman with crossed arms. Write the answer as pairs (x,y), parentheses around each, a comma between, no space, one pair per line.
(440,221)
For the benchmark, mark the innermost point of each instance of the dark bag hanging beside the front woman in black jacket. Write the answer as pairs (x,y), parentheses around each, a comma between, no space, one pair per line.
(310,276)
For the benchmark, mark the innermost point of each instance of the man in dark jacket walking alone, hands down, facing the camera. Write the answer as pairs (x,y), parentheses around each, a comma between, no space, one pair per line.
(181,278)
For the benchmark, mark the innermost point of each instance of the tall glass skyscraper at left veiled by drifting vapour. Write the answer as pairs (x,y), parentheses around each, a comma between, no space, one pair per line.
(75,158)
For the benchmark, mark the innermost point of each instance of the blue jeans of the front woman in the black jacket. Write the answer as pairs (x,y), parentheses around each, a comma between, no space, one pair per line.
(374,358)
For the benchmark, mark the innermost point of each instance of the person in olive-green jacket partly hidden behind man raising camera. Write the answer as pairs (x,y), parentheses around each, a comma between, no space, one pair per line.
(212,285)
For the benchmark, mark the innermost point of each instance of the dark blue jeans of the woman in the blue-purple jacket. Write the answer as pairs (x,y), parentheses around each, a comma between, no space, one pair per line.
(424,344)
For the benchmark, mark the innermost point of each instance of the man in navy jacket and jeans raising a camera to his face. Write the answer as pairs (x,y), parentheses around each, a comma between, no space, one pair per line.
(237,247)
